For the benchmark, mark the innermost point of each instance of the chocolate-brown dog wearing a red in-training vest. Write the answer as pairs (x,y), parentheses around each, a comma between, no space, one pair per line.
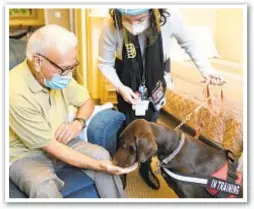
(182,157)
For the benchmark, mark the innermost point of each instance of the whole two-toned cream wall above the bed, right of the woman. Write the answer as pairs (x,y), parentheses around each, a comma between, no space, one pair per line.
(227,26)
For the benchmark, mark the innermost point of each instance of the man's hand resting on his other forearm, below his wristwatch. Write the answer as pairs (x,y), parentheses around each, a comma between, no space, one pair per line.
(66,132)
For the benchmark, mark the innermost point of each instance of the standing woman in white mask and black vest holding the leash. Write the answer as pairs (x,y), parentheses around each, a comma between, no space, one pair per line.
(134,57)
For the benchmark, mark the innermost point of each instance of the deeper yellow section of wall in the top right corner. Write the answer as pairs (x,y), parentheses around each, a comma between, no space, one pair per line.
(229,34)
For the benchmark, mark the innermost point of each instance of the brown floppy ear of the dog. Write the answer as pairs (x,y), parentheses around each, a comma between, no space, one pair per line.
(146,147)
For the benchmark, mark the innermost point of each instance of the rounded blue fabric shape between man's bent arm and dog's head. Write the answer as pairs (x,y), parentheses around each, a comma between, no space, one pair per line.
(103,129)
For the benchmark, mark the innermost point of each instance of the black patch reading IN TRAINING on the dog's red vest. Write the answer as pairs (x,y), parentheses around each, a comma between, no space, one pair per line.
(223,186)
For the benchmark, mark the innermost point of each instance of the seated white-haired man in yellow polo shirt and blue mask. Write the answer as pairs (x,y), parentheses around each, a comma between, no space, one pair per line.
(41,140)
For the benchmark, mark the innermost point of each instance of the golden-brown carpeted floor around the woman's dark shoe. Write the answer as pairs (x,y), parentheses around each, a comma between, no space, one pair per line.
(137,188)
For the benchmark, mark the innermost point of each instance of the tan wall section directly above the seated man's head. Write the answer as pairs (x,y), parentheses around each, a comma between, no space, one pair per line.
(52,17)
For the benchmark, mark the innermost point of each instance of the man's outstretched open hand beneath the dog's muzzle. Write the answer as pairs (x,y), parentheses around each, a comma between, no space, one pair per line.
(109,167)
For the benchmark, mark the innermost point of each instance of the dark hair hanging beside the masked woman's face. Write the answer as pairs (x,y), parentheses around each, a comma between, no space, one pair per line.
(117,16)
